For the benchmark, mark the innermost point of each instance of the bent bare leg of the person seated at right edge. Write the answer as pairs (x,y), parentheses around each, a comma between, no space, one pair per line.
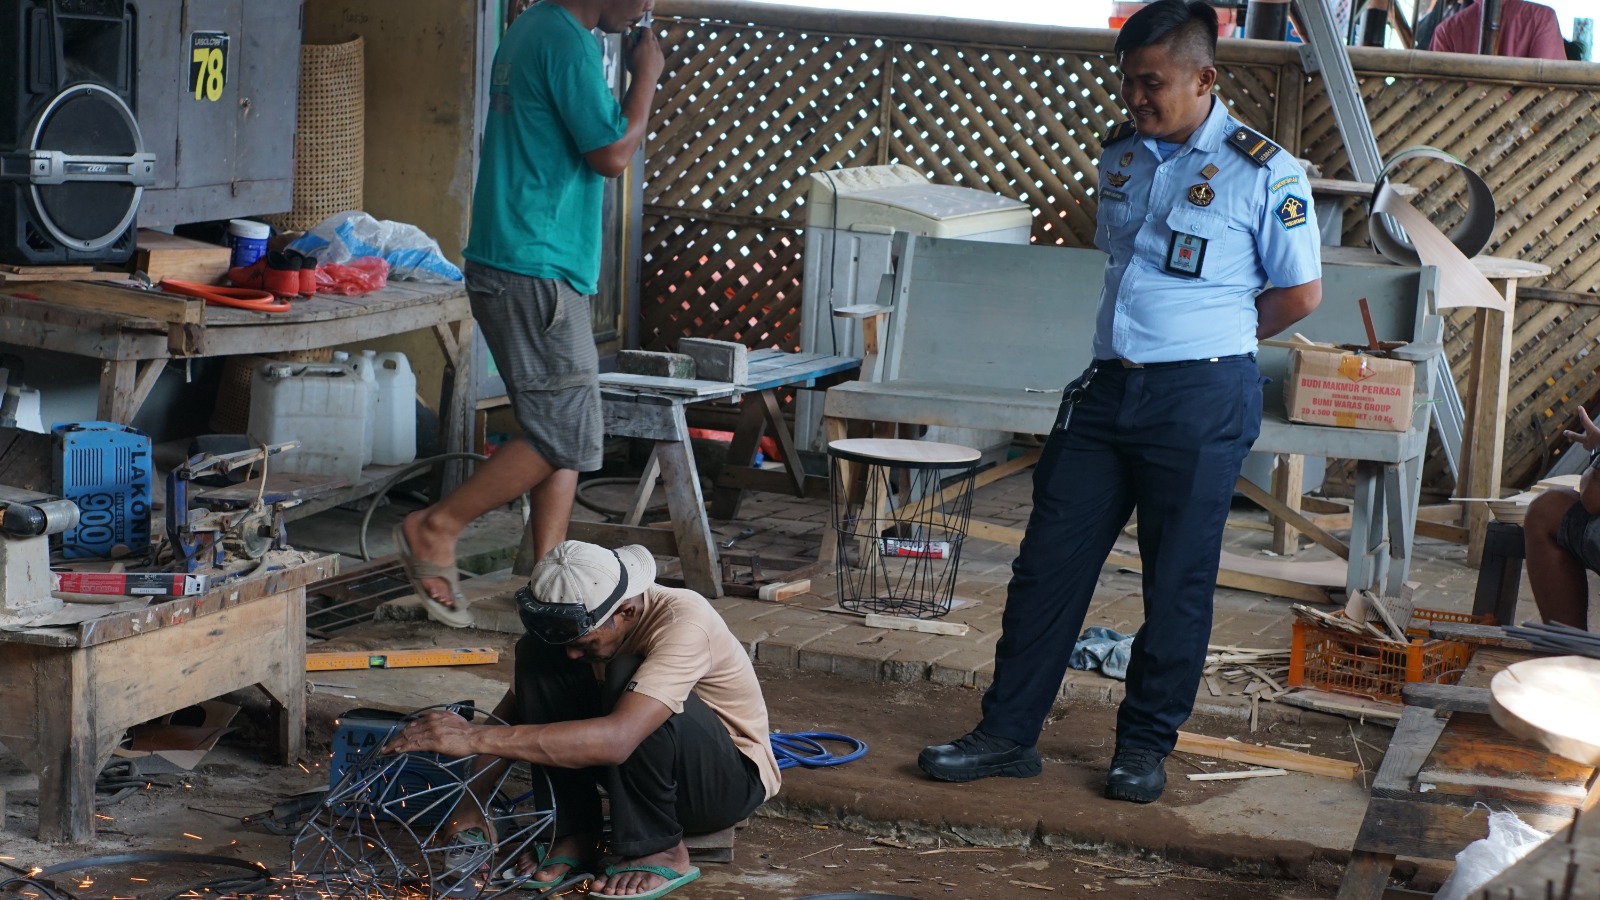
(1562,545)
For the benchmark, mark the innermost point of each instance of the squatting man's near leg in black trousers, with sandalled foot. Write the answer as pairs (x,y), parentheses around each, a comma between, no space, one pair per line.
(686,777)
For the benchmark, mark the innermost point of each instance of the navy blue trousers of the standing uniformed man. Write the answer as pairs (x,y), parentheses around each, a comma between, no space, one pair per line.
(1167,441)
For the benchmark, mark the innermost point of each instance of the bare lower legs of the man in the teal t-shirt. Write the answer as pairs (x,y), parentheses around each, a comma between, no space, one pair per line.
(514,470)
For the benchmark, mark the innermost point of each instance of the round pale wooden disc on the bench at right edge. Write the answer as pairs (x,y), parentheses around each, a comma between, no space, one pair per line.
(1551,702)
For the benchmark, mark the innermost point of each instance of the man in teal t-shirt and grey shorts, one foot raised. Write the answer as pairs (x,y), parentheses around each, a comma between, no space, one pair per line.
(554,135)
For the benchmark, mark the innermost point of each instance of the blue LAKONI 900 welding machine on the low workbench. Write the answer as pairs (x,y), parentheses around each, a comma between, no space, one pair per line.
(106,470)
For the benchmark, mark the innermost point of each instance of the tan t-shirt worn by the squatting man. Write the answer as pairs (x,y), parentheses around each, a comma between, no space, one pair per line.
(687,646)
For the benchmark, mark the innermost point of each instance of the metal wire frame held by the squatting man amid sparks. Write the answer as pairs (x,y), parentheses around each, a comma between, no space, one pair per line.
(382,832)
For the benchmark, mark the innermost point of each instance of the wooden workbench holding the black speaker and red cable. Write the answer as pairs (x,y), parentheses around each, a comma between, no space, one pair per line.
(137,334)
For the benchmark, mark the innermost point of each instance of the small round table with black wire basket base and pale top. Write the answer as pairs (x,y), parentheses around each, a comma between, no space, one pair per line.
(900,516)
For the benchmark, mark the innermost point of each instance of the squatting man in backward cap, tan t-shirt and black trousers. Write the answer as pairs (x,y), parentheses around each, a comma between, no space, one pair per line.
(636,688)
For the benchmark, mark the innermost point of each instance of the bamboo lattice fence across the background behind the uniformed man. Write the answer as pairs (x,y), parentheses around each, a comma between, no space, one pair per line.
(756,98)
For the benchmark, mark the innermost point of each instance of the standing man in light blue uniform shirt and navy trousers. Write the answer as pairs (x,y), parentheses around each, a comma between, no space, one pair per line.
(1199,215)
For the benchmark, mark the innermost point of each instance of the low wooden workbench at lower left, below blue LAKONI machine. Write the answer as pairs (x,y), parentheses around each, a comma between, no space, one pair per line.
(68,694)
